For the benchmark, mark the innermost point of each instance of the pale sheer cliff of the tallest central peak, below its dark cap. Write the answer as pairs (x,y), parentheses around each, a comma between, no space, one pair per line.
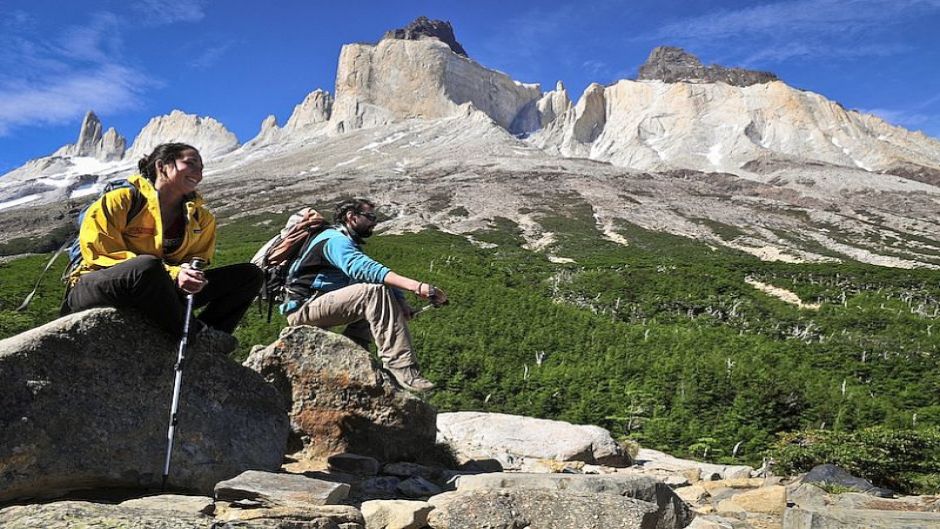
(405,79)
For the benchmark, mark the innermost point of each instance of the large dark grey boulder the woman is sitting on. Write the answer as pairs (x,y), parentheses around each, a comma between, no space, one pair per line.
(86,402)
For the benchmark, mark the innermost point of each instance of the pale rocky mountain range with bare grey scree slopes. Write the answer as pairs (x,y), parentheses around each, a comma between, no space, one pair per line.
(796,174)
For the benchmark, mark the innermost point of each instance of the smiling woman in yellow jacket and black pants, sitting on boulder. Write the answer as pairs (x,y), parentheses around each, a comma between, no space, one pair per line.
(141,260)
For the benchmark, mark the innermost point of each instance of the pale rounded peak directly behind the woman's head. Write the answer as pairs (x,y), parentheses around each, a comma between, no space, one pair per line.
(206,134)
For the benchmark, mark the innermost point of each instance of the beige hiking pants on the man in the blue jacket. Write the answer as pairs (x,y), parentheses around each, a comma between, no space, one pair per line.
(370,311)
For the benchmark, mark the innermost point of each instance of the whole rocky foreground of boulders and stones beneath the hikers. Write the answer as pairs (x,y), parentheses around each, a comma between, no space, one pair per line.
(85,410)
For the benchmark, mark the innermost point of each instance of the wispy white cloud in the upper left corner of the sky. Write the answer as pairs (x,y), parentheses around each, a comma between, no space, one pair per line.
(54,77)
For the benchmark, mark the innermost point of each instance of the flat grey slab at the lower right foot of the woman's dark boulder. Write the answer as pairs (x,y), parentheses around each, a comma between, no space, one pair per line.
(275,489)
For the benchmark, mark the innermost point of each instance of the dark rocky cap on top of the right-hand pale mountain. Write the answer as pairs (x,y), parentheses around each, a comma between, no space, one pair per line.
(674,65)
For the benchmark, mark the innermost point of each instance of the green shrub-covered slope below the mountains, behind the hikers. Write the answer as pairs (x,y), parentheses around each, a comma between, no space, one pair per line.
(661,340)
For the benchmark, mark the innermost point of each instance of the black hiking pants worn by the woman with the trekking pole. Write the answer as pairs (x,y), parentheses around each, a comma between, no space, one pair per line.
(142,283)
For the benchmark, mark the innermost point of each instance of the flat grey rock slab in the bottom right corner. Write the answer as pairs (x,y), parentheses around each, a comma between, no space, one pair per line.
(835,518)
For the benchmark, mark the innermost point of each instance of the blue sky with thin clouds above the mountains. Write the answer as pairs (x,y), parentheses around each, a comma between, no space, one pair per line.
(239,61)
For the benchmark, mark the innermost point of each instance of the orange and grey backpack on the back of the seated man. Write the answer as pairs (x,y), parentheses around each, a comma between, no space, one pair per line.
(275,257)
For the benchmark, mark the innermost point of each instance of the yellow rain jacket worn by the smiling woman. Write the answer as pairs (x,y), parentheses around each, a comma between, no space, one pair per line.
(107,238)
